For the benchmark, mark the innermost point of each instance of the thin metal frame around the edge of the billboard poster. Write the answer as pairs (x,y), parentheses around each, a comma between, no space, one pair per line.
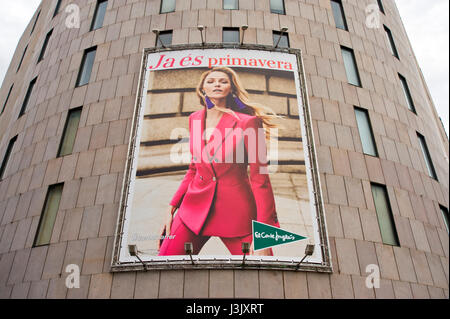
(203,262)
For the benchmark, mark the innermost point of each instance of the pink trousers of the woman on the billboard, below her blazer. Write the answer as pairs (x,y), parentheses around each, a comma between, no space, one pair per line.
(181,235)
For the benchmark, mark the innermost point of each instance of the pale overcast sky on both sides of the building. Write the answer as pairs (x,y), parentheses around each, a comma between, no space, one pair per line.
(426,22)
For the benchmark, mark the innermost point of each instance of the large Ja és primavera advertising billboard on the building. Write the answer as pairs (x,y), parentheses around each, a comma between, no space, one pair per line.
(221,164)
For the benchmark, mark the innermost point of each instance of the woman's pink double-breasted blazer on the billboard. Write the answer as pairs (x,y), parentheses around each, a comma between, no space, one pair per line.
(217,197)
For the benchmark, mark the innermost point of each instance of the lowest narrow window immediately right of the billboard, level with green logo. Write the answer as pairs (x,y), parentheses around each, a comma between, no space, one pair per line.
(384,215)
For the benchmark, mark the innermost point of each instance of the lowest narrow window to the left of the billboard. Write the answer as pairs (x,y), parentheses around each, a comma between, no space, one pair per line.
(48,216)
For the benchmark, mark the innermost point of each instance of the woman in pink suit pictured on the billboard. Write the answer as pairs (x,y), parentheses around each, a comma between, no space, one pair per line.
(217,197)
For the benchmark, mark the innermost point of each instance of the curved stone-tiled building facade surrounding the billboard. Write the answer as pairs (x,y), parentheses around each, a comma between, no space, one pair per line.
(67,106)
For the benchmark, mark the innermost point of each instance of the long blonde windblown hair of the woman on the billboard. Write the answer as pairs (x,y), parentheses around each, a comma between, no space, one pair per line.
(266,114)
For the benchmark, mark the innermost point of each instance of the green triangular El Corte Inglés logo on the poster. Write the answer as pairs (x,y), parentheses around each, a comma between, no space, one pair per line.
(266,236)
